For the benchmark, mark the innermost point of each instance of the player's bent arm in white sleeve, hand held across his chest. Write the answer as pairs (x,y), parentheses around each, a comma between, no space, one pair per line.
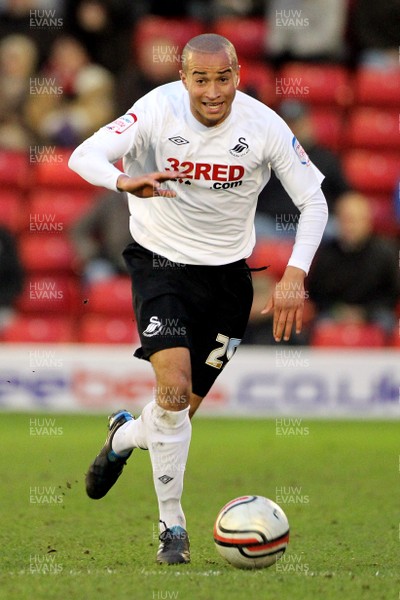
(94,160)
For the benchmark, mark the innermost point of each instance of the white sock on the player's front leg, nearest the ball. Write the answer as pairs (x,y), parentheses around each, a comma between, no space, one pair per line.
(168,436)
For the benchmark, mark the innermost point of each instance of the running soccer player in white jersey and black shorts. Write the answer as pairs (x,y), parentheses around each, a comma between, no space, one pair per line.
(196,153)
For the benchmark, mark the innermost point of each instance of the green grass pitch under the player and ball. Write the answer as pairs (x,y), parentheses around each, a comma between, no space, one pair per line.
(338,483)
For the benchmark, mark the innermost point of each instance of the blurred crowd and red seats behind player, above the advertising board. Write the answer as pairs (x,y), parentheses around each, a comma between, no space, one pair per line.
(329,67)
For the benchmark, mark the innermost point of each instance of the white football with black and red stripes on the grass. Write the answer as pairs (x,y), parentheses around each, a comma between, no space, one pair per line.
(251,532)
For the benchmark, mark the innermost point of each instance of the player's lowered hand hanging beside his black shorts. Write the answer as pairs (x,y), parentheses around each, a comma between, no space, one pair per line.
(287,303)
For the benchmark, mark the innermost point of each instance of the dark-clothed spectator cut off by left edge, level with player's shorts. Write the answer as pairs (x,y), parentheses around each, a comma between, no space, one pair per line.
(11,276)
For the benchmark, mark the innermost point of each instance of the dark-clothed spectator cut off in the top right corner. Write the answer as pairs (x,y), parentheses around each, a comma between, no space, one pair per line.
(374,28)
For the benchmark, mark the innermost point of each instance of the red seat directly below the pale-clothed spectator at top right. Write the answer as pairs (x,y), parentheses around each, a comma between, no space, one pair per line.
(314,84)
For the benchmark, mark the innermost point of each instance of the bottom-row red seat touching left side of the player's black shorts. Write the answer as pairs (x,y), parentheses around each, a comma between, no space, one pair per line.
(101,329)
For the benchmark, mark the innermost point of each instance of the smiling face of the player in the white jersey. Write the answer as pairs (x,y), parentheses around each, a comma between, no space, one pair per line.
(211,81)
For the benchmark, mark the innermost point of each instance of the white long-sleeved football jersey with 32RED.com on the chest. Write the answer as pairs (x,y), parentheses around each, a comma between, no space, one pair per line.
(223,168)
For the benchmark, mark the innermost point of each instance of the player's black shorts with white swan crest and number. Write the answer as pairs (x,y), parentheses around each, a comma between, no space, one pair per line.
(202,308)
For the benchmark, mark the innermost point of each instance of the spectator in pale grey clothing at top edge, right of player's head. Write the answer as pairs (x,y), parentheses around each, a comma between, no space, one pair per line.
(307,31)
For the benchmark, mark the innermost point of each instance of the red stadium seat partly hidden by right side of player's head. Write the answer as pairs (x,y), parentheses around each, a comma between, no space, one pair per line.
(248,35)
